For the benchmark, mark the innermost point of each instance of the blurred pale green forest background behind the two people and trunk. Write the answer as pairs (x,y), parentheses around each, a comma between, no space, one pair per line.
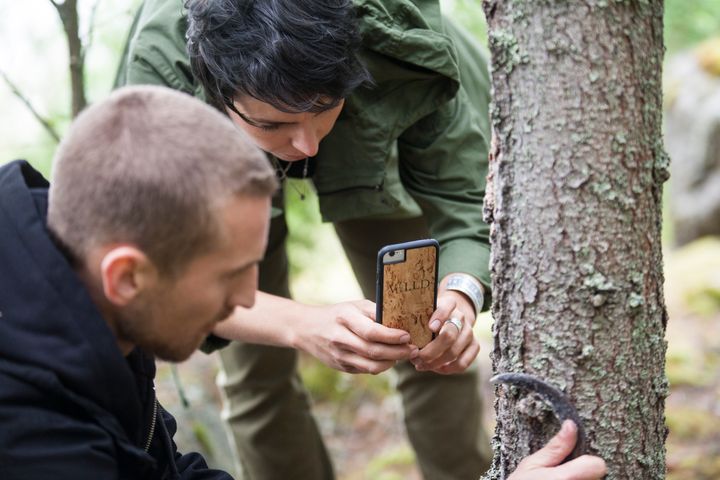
(360,415)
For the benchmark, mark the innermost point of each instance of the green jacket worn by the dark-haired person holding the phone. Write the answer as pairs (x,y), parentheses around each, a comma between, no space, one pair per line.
(415,144)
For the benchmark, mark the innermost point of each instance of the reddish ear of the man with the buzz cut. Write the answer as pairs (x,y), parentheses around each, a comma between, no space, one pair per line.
(125,272)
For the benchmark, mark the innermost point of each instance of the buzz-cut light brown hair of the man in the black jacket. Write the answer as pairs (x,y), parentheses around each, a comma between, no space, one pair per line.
(150,166)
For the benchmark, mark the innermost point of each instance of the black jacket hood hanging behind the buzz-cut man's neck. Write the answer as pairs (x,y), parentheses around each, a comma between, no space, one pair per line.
(51,333)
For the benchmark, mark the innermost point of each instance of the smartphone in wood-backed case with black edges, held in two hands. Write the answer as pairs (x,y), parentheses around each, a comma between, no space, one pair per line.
(406,288)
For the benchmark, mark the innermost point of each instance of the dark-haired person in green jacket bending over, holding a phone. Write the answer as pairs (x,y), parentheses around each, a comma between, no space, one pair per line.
(383,104)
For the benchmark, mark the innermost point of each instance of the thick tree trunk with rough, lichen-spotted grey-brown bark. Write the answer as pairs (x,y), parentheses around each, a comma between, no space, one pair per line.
(576,174)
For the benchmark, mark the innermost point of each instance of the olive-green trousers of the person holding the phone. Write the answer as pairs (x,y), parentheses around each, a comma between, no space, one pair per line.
(268,411)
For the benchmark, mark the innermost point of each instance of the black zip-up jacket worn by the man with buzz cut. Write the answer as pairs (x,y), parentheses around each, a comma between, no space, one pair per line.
(71,406)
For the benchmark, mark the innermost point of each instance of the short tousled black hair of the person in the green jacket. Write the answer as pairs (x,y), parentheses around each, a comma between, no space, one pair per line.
(296,55)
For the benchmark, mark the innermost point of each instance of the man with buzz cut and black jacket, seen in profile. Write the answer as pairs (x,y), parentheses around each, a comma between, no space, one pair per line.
(154,236)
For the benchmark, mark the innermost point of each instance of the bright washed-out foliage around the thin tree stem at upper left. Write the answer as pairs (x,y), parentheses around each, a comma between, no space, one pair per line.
(41,72)
